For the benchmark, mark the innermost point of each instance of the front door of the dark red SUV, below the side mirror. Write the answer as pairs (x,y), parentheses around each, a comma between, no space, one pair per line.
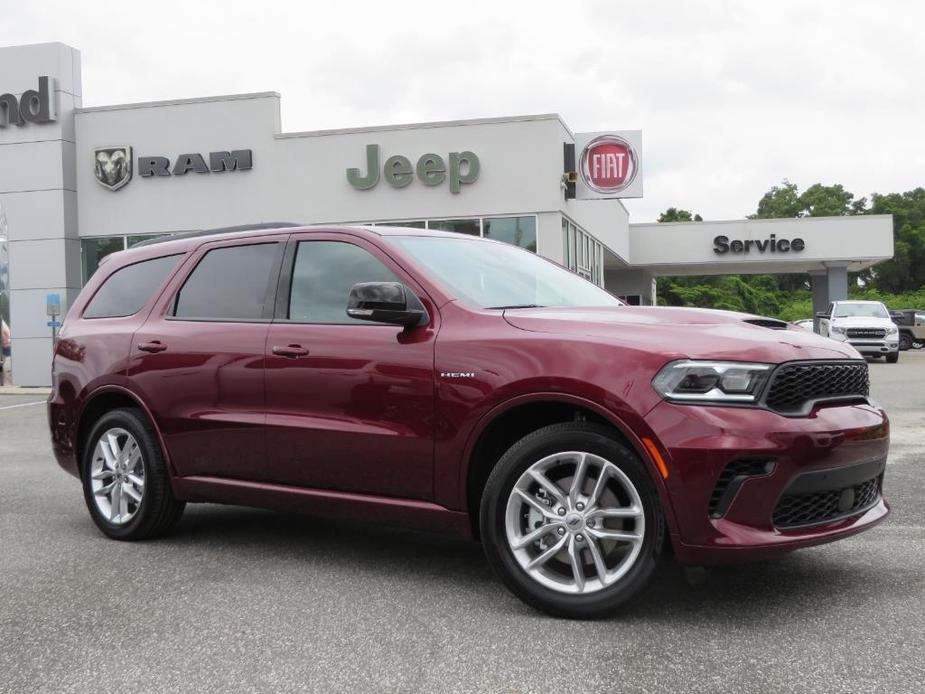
(350,404)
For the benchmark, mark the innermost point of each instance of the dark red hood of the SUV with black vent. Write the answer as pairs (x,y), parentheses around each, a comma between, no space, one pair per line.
(680,333)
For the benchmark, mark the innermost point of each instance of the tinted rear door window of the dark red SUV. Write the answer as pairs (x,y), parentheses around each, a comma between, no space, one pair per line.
(229,284)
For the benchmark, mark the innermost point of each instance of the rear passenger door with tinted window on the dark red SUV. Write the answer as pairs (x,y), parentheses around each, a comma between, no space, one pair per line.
(199,358)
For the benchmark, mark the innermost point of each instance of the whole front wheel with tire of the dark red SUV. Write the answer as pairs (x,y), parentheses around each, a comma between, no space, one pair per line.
(570,521)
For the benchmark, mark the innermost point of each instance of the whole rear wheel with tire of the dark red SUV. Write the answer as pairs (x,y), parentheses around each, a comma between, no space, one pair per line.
(125,480)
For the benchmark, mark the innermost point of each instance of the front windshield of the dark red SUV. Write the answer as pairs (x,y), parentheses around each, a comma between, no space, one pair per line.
(497,275)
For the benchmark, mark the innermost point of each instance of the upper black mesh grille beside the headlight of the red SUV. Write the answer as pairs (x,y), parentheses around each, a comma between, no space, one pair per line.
(795,385)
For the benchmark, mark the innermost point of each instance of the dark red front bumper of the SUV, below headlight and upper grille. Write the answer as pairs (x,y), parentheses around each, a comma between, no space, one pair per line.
(782,460)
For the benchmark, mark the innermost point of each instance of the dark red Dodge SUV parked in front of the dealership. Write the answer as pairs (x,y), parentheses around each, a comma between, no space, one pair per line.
(458,384)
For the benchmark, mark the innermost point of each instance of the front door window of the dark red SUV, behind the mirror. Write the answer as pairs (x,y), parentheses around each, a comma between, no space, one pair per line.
(322,276)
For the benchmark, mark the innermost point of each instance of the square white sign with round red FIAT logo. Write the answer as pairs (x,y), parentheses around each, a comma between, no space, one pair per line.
(609,165)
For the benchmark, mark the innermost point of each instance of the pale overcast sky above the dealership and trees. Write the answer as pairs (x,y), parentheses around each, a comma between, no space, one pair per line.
(732,97)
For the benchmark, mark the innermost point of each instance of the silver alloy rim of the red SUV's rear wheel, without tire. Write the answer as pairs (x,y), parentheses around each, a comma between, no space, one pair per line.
(117,476)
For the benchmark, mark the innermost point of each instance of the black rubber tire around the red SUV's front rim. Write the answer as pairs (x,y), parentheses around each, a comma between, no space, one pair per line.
(573,436)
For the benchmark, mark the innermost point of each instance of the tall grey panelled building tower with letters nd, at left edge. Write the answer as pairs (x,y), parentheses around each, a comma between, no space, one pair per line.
(38,193)
